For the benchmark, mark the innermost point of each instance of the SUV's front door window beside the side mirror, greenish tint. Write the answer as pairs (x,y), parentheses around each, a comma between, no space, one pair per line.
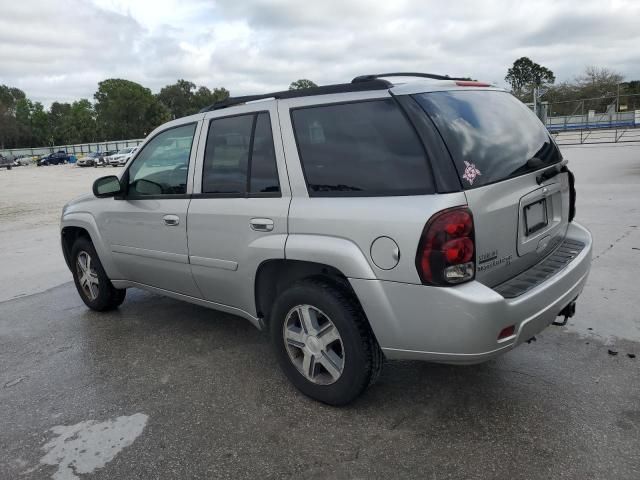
(162,166)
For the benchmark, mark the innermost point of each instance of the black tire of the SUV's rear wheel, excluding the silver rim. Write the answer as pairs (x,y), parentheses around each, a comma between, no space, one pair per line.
(363,358)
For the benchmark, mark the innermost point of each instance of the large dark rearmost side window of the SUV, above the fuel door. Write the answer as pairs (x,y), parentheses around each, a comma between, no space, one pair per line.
(360,149)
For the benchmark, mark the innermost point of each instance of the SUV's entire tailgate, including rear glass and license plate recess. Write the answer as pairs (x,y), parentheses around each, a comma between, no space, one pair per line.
(500,150)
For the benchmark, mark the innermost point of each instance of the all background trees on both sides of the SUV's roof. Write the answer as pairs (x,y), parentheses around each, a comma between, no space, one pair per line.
(123,109)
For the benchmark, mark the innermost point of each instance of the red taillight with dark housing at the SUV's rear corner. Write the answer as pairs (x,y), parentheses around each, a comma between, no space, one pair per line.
(446,252)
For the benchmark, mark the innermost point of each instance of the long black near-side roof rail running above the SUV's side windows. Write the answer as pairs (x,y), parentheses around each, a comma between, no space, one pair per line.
(364,85)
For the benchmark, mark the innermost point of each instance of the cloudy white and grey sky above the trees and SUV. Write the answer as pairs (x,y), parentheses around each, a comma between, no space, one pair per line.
(60,50)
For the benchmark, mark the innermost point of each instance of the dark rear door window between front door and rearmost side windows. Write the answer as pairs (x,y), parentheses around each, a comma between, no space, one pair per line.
(240,157)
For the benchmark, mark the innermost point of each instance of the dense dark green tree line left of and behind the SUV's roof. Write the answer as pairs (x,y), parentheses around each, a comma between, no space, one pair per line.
(122,109)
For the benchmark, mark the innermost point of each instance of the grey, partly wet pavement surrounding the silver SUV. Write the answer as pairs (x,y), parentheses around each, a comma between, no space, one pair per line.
(163,389)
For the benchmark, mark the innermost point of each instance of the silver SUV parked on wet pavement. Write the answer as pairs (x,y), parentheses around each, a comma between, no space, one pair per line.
(428,220)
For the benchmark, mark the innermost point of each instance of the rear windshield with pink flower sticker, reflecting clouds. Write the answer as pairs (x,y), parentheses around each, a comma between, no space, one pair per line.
(491,135)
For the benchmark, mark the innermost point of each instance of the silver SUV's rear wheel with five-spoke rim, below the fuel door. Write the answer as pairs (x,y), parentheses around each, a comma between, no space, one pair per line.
(323,342)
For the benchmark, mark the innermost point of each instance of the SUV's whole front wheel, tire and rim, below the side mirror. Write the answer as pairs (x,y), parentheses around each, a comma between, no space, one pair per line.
(92,283)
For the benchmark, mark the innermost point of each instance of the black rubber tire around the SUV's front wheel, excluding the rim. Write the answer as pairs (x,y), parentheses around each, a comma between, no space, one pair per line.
(107,297)
